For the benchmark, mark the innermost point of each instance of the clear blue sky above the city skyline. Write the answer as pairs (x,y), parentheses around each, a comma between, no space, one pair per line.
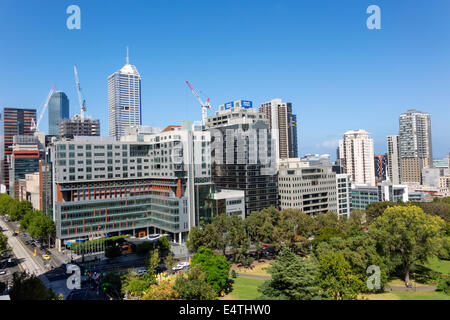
(319,55)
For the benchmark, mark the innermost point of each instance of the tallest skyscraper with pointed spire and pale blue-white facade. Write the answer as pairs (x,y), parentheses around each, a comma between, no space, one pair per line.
(124,99)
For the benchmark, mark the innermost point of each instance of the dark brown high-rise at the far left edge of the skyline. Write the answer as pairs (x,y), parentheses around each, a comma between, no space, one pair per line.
(13,122)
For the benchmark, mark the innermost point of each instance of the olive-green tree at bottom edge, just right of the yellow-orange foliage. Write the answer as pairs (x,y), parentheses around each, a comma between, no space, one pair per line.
(194,285)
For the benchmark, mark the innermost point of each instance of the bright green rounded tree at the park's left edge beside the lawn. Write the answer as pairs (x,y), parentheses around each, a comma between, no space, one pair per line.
(214,265)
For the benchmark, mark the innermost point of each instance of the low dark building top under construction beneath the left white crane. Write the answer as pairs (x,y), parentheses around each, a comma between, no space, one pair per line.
(79,126)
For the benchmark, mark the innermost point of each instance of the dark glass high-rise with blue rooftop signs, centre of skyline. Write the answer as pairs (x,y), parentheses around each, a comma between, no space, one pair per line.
(242,155)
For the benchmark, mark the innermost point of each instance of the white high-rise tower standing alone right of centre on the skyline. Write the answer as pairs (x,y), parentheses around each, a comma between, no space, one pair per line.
(356,155)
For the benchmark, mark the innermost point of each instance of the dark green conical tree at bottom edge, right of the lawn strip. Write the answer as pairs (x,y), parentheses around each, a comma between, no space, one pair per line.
(293,278)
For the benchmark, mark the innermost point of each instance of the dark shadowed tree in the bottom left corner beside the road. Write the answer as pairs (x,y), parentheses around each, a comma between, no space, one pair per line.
(29,287)
